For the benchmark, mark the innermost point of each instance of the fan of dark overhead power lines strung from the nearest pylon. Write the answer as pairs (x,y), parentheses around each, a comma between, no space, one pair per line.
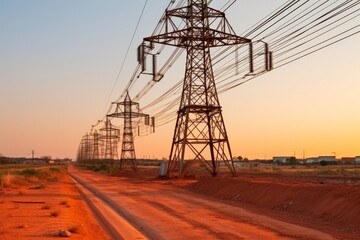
(291,17)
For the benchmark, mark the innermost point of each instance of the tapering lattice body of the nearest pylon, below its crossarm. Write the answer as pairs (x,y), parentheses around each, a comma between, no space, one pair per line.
(200,133)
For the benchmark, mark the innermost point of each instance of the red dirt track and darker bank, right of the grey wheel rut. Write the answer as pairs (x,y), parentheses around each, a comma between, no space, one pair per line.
(229,208)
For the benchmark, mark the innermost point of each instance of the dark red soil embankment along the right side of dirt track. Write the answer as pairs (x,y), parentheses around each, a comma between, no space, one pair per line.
(335,202)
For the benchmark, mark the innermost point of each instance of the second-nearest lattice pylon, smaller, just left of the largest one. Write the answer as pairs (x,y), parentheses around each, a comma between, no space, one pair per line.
(128,110)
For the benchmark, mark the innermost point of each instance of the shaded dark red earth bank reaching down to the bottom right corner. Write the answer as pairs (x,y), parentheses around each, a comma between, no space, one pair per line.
(328,204)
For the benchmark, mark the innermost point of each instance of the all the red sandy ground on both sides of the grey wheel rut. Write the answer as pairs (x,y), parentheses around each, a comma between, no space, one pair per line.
(249,206)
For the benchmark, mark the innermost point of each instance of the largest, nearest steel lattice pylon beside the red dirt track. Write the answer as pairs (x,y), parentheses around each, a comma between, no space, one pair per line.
(200,133)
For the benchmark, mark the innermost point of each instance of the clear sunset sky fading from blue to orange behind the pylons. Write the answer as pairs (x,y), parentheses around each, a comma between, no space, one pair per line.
(59,61)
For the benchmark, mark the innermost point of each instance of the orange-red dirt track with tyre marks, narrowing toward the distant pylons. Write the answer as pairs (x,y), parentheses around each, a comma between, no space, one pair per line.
(161,210)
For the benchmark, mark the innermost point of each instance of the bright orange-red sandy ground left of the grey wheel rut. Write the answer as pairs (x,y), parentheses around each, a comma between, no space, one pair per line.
(23,221)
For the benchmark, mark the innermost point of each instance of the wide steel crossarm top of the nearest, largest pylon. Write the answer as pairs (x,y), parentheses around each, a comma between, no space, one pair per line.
(201,24)
